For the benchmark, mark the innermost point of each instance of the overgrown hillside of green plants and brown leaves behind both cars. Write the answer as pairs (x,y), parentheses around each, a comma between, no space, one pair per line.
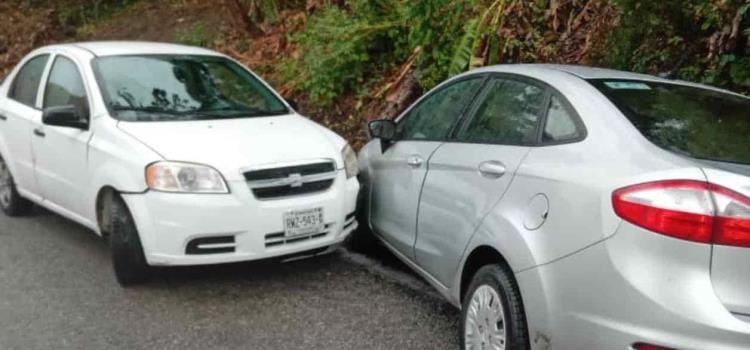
(346,60)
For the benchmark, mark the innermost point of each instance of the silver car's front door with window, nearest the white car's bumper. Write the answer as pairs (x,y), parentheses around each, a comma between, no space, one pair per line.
(399,171)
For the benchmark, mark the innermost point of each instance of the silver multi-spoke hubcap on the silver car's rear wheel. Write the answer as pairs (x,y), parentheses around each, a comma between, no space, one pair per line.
(485,321)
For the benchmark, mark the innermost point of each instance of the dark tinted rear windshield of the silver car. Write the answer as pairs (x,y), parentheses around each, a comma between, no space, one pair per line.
(697,122)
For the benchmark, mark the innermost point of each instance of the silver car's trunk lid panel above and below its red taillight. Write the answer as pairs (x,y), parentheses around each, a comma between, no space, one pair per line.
(730,267)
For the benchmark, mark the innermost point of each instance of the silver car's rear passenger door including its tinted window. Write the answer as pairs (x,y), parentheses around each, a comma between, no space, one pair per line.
(468,177)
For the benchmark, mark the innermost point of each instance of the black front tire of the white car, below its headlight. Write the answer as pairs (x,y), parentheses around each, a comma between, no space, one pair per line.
(127,252)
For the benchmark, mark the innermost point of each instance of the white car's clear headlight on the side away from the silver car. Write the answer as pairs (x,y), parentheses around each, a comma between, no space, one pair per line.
(184,178)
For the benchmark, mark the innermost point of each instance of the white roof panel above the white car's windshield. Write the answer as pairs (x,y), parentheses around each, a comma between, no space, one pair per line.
(118,48)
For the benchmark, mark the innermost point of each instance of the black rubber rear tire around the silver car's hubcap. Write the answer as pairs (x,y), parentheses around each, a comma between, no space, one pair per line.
(503,283)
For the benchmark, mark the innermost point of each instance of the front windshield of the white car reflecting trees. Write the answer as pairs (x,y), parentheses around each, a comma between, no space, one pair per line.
(180,87)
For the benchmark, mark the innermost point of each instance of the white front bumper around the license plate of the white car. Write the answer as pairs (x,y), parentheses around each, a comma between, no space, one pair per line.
(169,222)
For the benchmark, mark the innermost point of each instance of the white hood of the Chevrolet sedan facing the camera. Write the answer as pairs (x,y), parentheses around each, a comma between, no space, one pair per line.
(231,145)
